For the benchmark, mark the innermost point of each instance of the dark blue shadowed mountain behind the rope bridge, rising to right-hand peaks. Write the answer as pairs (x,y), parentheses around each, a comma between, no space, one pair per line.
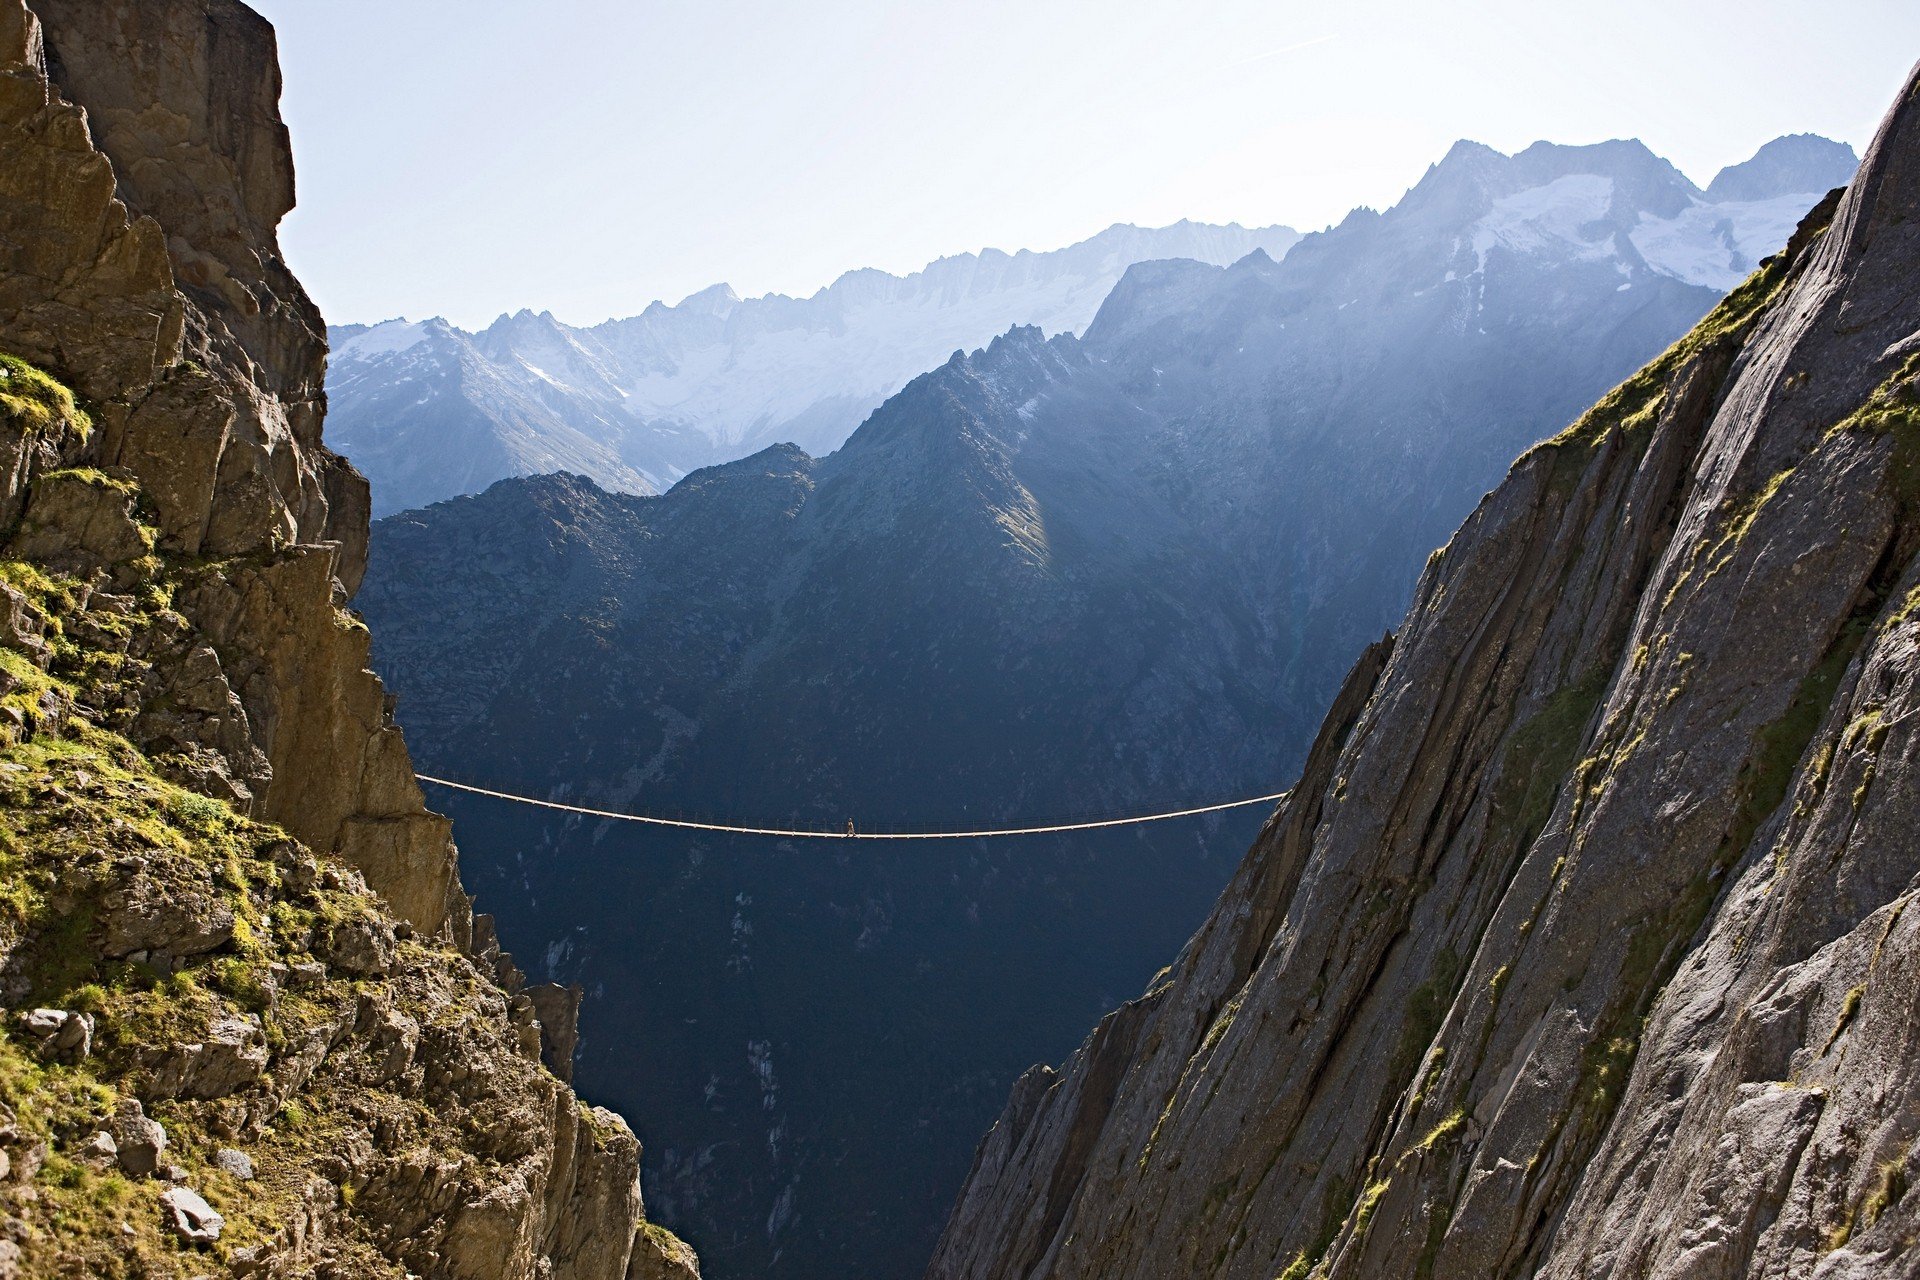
(1053,577)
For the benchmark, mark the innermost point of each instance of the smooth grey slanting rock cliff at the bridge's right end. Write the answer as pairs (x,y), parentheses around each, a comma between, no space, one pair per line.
(1581,947)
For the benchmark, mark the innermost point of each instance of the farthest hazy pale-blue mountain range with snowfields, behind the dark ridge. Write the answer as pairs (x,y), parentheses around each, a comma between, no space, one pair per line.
(431,412)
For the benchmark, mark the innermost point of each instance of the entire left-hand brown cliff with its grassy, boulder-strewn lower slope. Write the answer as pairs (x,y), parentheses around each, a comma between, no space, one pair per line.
(251,1022)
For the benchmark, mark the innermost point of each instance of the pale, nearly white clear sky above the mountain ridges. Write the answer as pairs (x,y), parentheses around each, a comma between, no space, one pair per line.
(588,156)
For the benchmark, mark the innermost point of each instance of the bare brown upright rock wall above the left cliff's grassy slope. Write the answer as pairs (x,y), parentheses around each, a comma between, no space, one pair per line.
(216,406)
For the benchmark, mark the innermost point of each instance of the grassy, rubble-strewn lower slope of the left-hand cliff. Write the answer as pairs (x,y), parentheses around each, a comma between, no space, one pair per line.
(252,997)
